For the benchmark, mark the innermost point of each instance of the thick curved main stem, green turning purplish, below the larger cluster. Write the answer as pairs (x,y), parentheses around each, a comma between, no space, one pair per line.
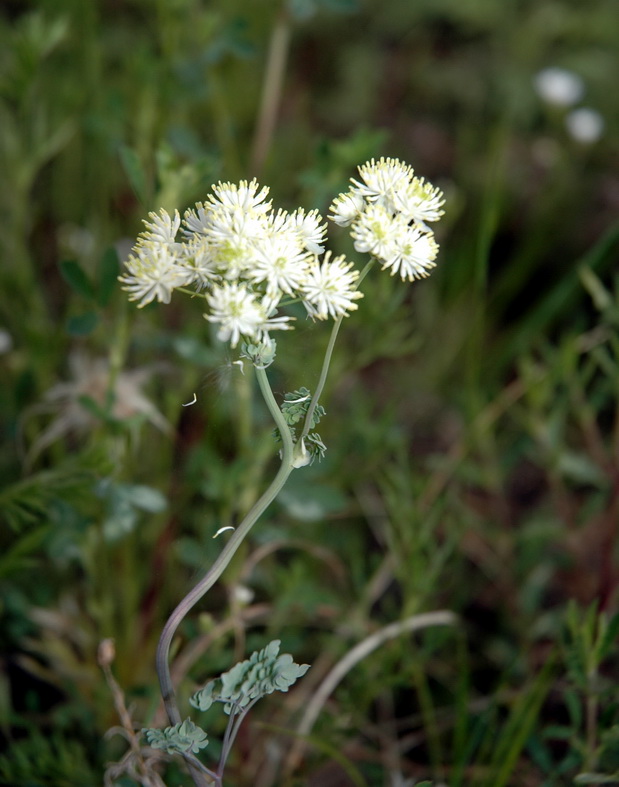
(218,567)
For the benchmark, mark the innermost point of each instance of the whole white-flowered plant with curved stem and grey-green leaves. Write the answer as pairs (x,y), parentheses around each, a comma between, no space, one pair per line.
(247,262)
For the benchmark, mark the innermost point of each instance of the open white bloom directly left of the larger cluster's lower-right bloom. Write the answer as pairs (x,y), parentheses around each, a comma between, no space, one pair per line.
(281,262)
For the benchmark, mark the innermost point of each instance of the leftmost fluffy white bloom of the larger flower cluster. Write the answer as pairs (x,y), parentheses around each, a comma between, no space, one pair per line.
(152,273)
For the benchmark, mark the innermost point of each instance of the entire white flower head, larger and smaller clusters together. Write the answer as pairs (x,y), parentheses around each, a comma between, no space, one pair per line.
(246,260)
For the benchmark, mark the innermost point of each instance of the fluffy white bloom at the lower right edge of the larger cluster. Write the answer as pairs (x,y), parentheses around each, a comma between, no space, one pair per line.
(329,289)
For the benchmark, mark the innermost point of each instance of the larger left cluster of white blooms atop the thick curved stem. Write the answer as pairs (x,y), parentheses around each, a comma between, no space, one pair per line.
(246,257)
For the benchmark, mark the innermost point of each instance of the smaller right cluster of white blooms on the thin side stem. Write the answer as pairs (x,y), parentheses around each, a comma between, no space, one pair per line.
(387,212)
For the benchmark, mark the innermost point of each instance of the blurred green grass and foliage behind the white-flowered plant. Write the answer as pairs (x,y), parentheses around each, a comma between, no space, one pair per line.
(473,423)
